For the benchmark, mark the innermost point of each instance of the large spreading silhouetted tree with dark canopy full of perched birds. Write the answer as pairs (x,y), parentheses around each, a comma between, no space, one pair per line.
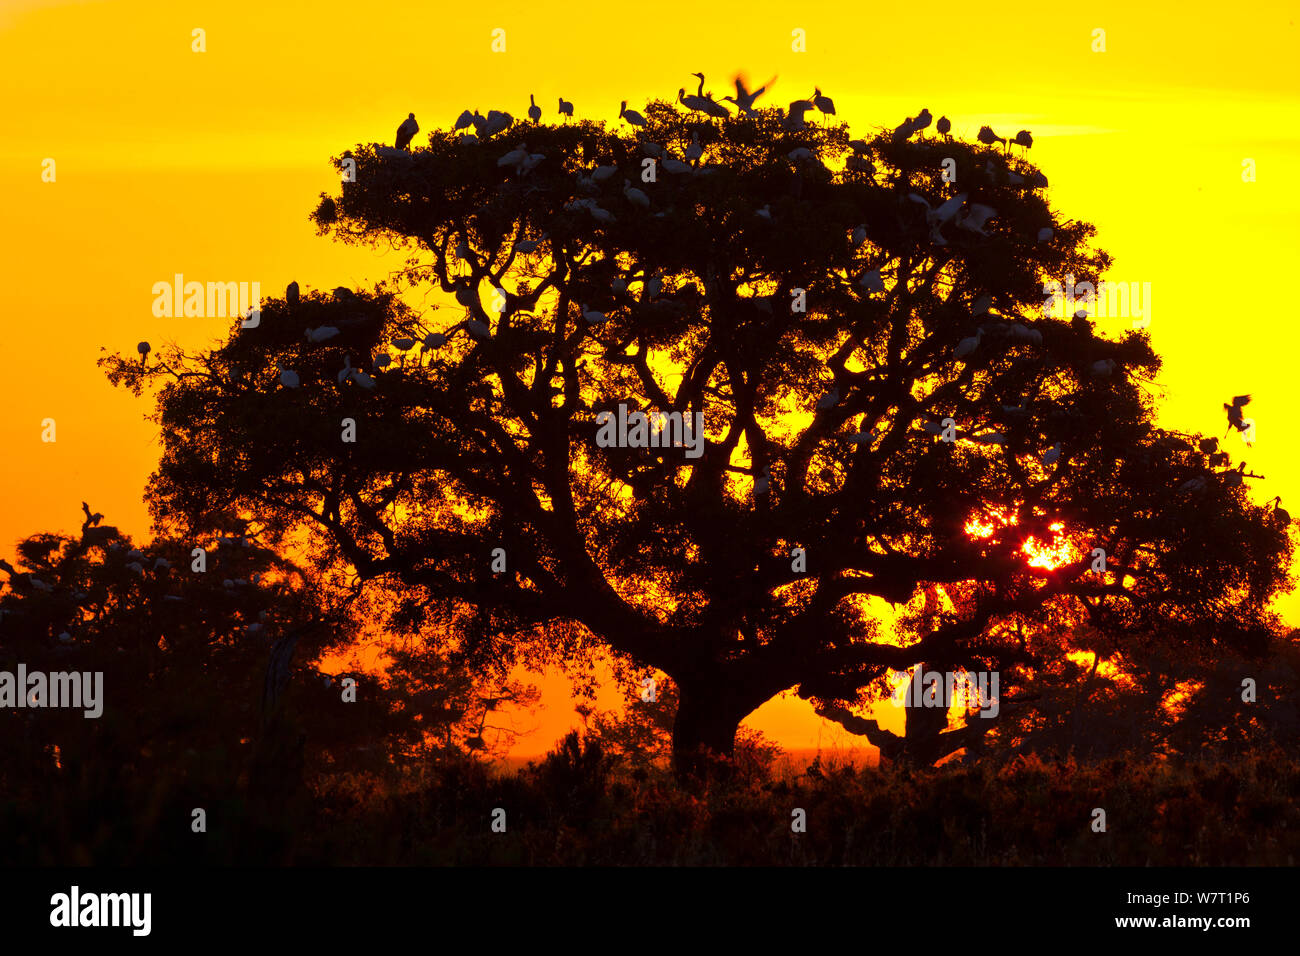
(826,306)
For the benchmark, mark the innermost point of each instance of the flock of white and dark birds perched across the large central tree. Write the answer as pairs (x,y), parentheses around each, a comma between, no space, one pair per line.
(973,219)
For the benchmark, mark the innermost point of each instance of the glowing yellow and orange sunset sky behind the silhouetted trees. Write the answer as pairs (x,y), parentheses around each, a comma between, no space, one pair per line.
(207,165)
